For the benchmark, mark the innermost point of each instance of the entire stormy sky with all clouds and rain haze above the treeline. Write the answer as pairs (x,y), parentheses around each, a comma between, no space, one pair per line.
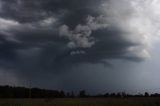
(96,45)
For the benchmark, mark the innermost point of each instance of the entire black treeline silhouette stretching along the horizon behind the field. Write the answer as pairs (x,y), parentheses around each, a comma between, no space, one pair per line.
(22,92)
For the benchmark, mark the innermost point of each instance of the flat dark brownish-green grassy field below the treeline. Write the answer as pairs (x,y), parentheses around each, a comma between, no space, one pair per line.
(82,102)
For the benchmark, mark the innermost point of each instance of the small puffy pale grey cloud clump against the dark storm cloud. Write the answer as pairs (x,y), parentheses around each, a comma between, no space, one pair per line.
(81,35)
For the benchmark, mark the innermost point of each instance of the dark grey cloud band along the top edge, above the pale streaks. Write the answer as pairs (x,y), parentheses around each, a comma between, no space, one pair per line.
(30,11)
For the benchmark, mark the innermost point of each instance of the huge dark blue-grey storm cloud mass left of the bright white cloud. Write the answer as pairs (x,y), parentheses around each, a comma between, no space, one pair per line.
(39,36)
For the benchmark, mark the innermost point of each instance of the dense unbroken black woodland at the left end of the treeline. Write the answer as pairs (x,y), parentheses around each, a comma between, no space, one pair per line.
(22,92)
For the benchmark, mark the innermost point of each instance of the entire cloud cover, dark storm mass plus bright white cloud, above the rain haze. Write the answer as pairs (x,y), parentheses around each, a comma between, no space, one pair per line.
(55,35)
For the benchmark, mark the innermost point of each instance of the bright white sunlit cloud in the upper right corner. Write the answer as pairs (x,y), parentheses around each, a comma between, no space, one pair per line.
(138,21)
